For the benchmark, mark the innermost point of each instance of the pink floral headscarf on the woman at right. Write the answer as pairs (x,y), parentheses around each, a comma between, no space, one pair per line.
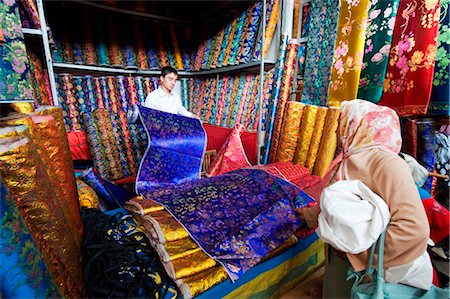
(364,126)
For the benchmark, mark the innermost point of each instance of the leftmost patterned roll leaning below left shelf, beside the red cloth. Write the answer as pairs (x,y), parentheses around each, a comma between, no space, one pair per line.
(96,146)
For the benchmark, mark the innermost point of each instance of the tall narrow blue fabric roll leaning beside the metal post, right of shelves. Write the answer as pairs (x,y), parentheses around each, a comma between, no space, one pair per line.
(274,98)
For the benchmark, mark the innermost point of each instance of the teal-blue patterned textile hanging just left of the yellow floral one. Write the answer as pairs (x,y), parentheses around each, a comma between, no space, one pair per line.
(322,36)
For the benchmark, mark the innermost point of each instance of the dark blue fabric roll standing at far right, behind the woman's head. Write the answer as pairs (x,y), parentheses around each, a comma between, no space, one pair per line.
(425,147)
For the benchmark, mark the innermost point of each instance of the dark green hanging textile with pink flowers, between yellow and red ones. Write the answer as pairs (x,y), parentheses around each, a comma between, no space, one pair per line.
(379,32)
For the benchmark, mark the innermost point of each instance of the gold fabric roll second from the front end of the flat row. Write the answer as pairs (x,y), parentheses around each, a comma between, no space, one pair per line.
(189,265)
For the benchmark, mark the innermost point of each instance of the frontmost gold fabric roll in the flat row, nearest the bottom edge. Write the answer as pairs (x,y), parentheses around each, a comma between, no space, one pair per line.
(194,285)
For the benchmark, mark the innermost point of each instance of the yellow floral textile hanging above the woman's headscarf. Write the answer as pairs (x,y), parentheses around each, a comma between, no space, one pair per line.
(348,52)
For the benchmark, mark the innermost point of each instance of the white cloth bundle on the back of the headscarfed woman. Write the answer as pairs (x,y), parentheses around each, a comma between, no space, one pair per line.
(352,216)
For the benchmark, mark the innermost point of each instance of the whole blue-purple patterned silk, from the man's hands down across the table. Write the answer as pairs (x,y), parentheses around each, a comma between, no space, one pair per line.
(237,218)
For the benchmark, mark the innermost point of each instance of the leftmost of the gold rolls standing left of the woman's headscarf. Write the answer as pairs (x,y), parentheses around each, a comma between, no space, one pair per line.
(290,131)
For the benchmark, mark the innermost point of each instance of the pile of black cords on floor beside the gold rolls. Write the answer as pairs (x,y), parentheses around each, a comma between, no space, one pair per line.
(119,261)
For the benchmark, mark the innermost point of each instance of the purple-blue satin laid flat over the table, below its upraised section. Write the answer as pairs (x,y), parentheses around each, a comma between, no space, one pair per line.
(212,209)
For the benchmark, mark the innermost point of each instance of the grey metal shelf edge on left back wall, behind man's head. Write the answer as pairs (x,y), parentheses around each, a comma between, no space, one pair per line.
(80,69)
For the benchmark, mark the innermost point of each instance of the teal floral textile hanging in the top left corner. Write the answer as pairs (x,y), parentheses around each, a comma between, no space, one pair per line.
(15,82)
